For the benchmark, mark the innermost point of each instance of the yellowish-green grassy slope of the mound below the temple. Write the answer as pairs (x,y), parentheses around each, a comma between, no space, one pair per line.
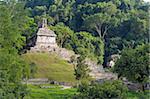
(51,66)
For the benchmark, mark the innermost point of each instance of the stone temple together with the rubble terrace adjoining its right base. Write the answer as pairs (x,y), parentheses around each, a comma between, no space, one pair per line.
(46,42)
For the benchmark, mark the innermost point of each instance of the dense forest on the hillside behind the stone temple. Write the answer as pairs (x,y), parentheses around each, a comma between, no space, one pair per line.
(116,23)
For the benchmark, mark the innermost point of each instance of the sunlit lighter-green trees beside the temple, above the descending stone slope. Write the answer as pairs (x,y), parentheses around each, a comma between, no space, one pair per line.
(82,43)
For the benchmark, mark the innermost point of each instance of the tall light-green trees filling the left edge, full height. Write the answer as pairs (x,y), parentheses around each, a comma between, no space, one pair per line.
(12,68)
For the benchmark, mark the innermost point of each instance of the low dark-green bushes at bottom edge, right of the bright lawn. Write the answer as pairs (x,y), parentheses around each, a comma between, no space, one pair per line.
(106,90)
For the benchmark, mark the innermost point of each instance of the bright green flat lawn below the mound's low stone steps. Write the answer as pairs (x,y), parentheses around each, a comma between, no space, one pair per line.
(55,92)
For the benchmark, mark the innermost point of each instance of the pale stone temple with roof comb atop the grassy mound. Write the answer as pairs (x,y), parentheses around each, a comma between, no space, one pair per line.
(46,39)
